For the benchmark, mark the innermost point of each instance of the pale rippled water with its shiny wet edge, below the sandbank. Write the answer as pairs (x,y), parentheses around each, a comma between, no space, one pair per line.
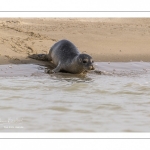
(118,100)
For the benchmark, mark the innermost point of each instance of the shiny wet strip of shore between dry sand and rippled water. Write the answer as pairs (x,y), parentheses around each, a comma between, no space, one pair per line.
(101,68)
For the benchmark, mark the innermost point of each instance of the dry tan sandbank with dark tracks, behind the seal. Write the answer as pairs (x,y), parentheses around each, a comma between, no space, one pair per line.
(105,39)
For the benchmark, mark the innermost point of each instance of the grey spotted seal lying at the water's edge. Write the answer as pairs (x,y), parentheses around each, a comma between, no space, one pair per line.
(66,57)
